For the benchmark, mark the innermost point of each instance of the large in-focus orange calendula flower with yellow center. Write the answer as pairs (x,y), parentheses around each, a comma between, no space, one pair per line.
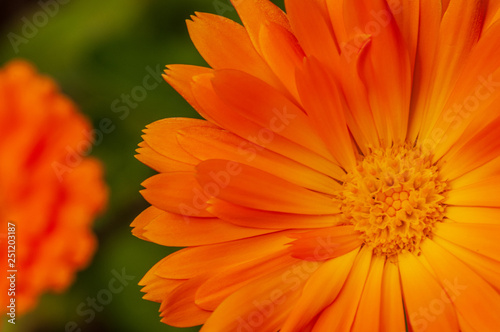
(346,177)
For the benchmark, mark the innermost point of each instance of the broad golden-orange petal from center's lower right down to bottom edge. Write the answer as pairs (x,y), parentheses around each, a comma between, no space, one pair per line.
(428,305)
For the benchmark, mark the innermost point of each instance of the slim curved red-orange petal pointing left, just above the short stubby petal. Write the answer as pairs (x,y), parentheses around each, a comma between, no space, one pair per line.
(246,217)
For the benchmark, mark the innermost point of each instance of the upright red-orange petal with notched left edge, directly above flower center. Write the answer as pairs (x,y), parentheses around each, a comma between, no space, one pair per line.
(385,69)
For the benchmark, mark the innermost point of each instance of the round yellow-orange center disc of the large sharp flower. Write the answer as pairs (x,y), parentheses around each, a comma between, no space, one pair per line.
(394,197)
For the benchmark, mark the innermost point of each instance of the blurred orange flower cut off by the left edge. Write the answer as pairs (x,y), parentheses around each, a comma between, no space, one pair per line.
(49,193)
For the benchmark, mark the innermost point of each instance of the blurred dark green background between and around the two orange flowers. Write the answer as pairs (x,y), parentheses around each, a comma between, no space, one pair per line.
(99,51)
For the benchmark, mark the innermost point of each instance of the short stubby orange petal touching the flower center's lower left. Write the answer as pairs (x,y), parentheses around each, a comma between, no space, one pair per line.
(326,243)
